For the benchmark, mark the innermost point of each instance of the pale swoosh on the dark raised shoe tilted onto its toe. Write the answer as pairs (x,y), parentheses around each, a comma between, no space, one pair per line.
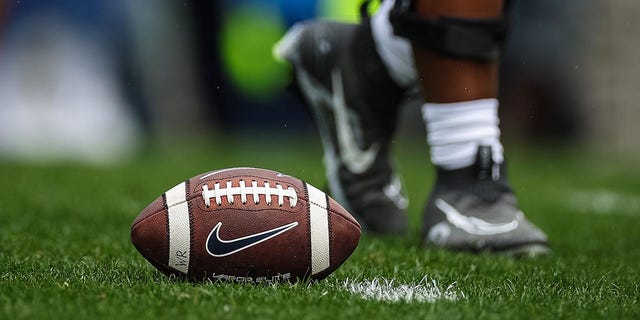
(355,159)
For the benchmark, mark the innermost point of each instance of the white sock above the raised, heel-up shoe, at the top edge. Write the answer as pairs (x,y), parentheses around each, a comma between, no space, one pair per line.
(395,51)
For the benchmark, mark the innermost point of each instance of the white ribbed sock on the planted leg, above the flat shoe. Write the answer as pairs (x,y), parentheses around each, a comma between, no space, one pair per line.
(455,130)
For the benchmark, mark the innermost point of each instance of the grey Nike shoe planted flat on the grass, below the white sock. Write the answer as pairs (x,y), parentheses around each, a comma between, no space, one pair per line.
(474,209)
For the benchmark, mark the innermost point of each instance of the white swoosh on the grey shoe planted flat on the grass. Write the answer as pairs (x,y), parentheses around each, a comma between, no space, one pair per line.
(474,225)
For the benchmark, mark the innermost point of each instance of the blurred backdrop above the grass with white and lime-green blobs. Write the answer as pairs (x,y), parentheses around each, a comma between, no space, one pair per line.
(94,80)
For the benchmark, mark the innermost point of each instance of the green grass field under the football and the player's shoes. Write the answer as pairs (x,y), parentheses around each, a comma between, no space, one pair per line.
(65,251)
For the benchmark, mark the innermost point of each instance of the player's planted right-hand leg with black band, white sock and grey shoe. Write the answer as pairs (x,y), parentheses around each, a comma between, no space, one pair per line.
(456,48)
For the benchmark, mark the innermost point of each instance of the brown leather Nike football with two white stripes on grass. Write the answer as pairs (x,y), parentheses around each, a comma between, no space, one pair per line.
(245,225)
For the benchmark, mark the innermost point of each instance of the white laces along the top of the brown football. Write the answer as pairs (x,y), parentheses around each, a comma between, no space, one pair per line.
(243,190)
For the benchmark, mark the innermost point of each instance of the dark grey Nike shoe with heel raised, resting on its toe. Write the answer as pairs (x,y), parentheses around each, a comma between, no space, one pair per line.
(354,103)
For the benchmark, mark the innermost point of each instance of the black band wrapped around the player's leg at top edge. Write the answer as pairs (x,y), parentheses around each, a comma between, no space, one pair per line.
(474,39)
